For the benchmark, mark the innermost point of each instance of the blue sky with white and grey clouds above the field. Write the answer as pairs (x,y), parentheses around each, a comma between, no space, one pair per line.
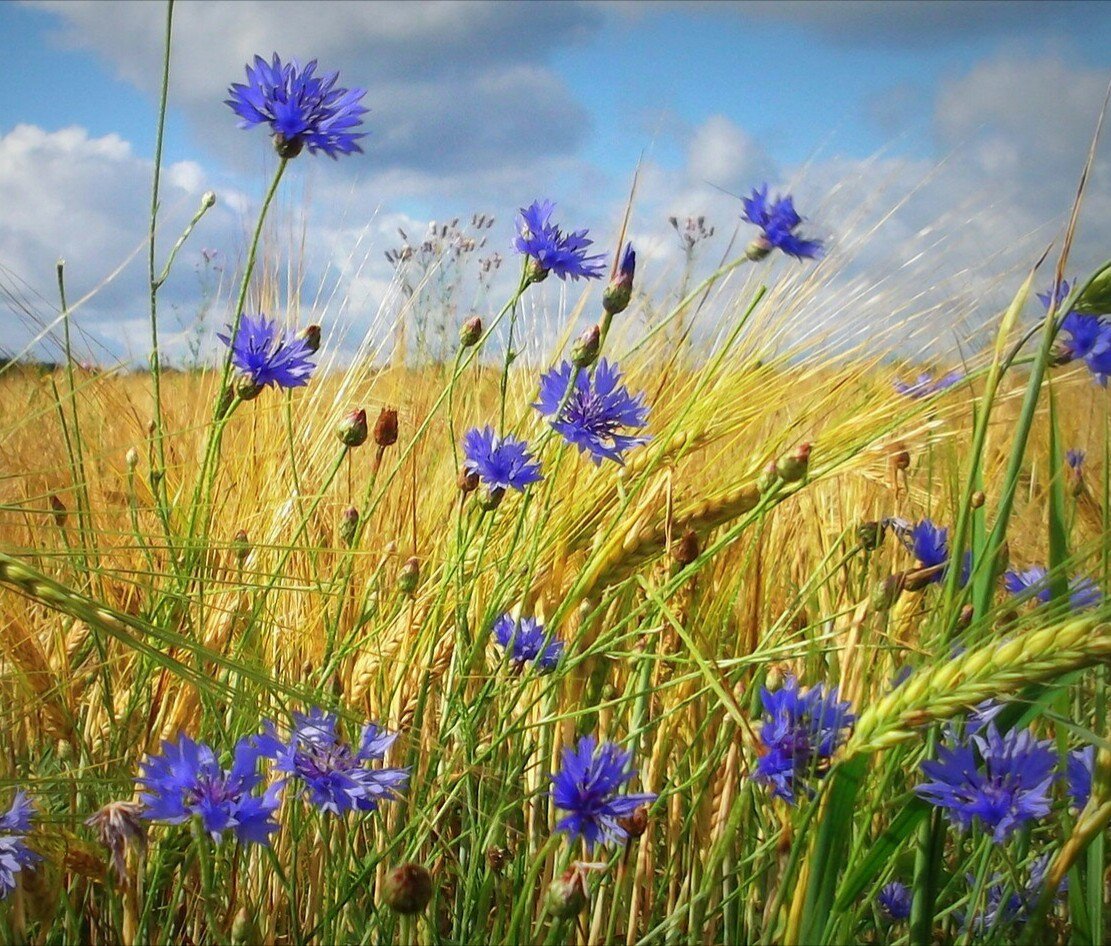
(969,121)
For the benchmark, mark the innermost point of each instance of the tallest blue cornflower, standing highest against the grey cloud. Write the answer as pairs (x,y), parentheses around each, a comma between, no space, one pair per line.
(303,109)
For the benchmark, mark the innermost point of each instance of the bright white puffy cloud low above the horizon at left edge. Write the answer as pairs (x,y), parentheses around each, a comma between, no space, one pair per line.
(69,196)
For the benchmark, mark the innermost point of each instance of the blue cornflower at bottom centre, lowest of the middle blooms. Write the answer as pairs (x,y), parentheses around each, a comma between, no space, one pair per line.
(587,788)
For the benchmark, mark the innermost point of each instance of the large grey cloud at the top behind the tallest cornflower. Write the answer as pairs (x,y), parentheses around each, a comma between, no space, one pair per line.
(452,86)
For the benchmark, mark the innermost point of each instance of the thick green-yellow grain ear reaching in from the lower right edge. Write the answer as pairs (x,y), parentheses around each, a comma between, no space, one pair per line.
(995,670)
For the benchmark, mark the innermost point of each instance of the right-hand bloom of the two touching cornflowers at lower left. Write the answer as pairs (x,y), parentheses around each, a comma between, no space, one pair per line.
(335,776)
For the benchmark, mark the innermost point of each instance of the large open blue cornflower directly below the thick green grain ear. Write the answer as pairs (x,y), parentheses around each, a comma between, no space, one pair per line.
(1002,781)
